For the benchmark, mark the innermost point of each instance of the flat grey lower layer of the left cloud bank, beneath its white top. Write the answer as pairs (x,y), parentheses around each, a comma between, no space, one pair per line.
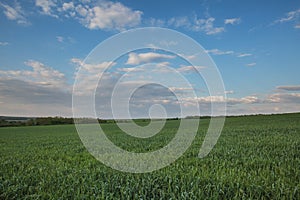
(24,98)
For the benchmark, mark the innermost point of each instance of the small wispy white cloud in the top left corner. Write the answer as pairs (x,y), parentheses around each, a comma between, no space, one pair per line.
(15,13)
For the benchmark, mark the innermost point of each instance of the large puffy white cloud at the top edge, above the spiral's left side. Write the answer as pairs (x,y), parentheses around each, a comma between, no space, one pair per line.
(110,16)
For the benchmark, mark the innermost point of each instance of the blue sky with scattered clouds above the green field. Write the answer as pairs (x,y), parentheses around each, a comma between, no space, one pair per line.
(44,44)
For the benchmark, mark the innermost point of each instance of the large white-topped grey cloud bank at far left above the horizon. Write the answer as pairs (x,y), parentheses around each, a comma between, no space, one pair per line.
(42,91)
